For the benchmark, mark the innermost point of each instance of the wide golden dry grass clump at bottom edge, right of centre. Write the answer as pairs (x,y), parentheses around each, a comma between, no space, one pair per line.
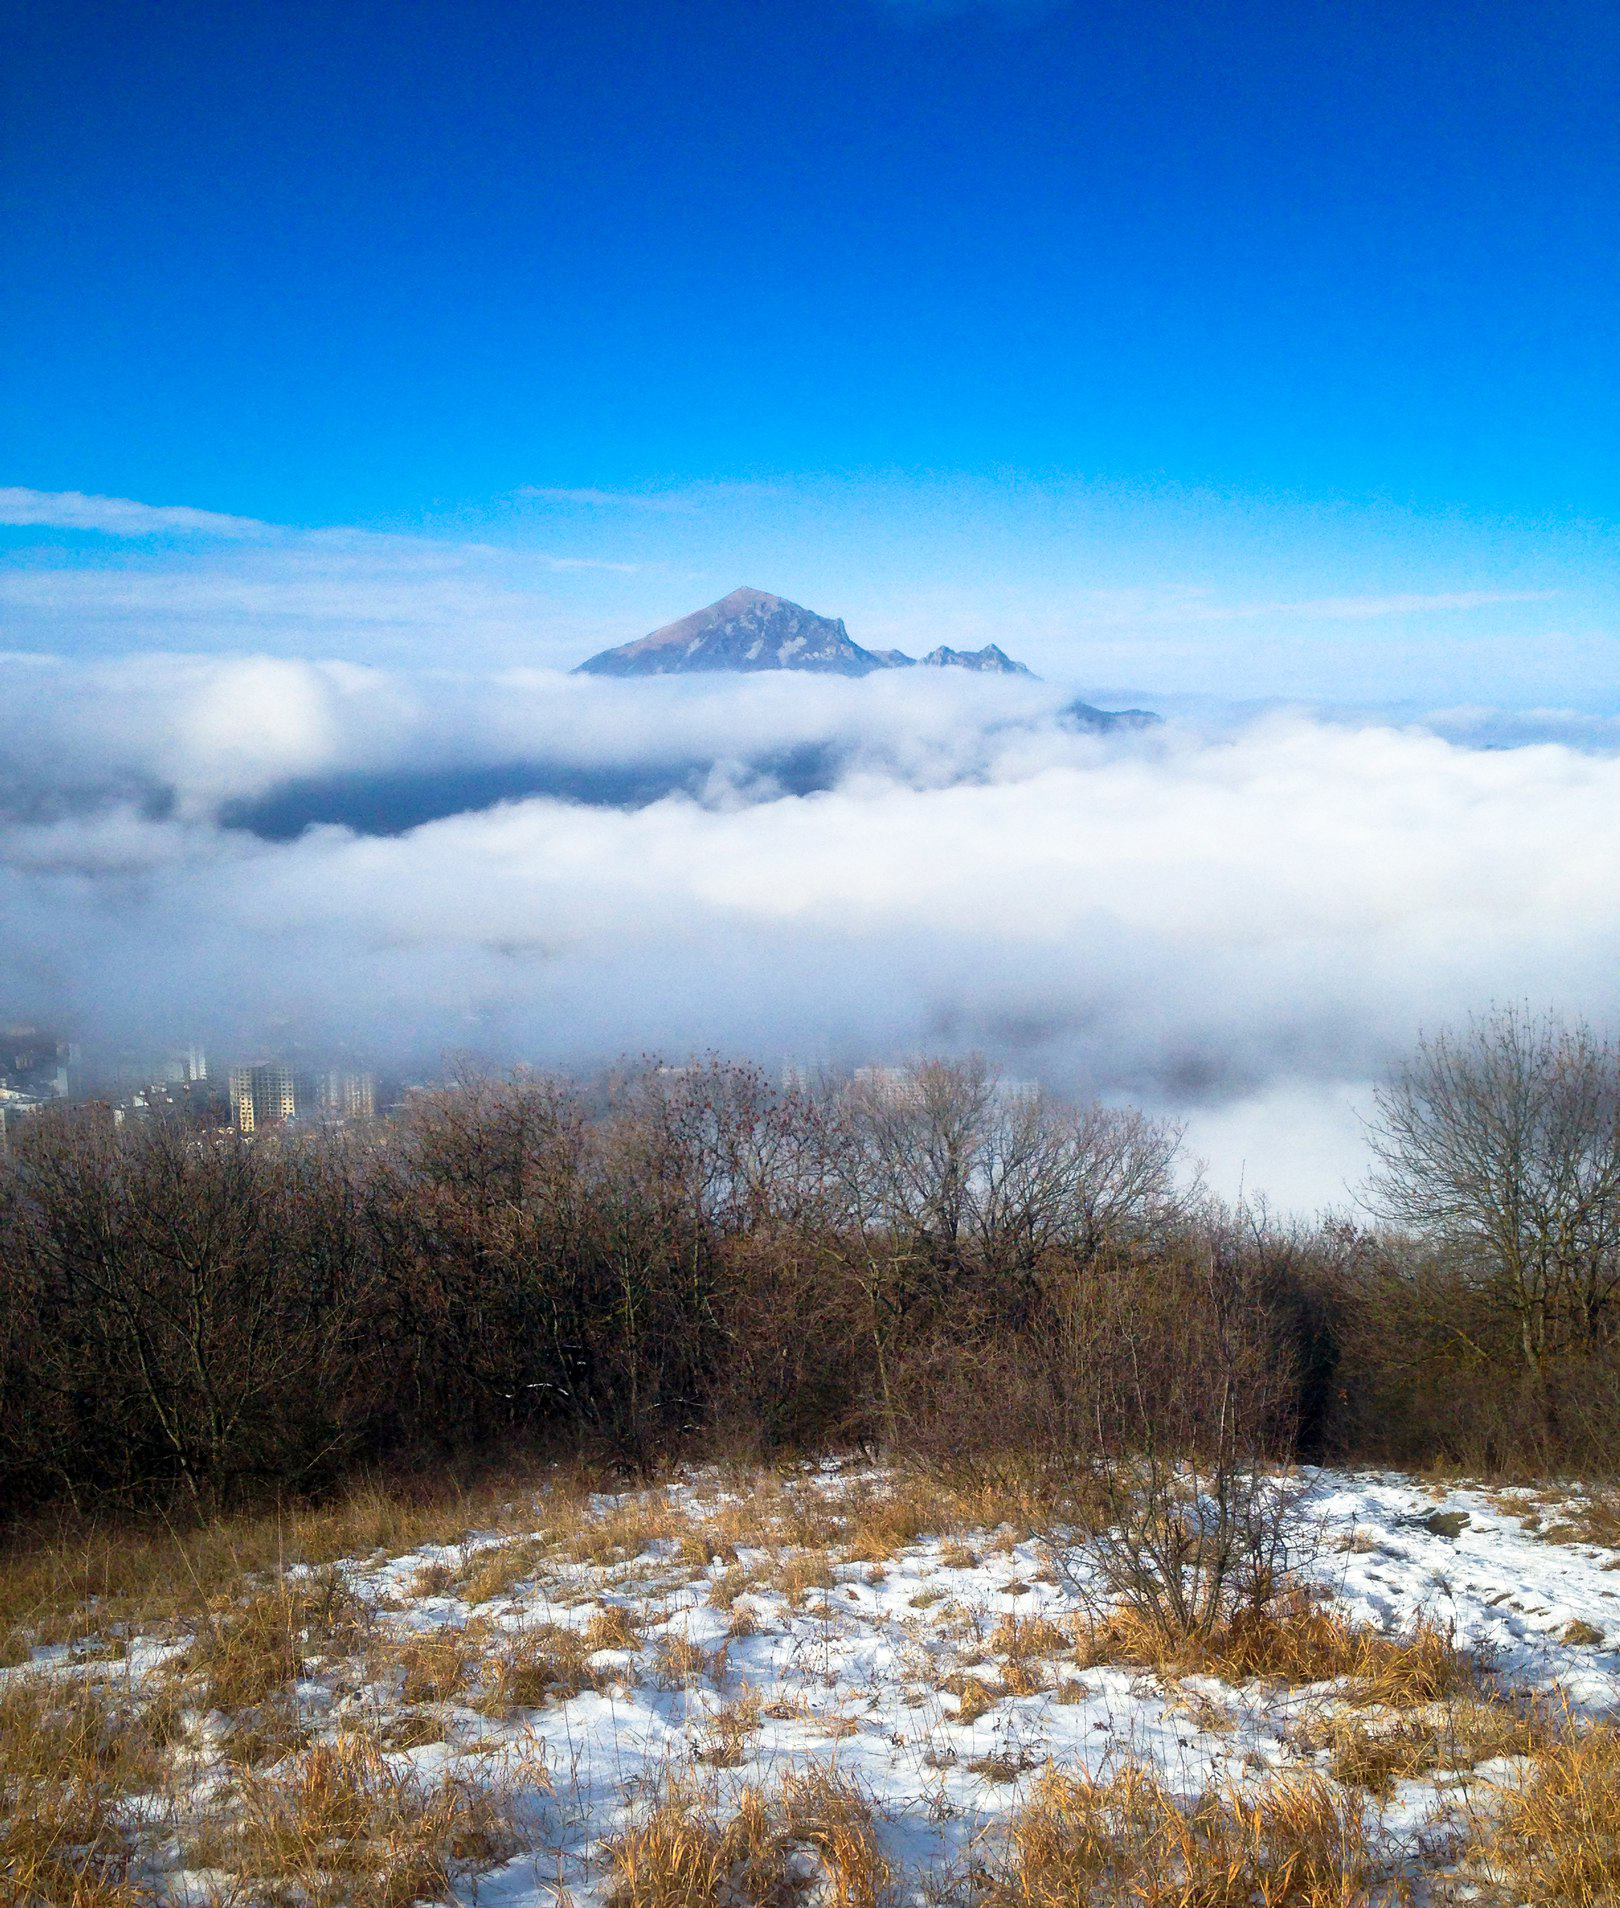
(1289,1844)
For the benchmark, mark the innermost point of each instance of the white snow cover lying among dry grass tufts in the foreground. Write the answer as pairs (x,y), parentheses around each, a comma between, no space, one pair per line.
(770,1657)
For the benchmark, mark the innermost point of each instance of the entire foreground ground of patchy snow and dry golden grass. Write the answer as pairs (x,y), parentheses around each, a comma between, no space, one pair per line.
(835,1686)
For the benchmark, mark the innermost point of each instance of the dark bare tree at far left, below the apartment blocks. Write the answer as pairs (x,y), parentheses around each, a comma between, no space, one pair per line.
(194,1298)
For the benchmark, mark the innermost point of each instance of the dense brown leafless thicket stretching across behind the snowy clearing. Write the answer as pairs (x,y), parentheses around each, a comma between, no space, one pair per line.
(690,1258)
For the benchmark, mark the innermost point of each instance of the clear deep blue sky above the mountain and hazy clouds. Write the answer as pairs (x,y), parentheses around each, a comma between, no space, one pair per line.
(392,266)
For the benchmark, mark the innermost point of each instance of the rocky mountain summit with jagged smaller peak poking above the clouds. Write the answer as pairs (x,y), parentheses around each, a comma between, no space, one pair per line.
(757,631)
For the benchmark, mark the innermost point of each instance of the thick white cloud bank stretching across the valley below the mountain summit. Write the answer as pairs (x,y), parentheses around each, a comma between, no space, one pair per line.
(842,871)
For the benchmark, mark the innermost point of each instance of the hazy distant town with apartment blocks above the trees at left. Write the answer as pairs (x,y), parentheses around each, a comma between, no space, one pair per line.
(41,1069)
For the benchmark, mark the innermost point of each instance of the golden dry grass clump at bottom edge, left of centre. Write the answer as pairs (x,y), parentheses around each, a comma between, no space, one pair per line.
(343,1825)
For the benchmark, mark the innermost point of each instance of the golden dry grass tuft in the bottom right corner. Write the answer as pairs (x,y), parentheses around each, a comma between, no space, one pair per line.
(1556,1836)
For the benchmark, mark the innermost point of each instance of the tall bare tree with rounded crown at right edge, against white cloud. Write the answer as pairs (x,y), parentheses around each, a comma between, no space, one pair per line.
(1503,1148)
